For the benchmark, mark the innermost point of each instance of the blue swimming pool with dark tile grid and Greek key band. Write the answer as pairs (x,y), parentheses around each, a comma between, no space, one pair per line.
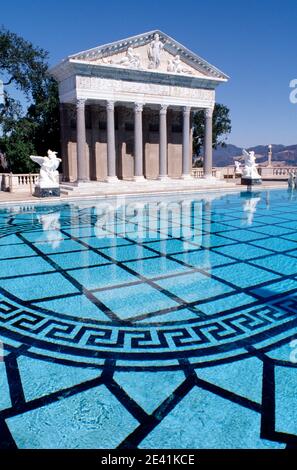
(150,323)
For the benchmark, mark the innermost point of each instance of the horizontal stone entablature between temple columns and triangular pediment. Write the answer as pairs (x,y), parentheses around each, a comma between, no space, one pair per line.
(126,85)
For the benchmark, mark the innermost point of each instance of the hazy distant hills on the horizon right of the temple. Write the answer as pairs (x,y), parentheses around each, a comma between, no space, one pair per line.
(223,156)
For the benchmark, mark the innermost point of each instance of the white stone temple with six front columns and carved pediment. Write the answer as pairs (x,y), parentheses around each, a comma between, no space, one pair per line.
(127,108)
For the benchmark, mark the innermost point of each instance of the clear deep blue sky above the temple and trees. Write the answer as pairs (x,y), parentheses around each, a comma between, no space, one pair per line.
(254,42)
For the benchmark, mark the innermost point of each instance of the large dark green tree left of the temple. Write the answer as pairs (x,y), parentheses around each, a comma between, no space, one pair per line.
(24,67)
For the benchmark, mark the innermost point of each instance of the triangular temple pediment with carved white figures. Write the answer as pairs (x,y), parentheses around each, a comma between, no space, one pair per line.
(153,51)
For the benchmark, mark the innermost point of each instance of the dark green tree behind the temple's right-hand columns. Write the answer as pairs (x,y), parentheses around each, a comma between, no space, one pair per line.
(221,127)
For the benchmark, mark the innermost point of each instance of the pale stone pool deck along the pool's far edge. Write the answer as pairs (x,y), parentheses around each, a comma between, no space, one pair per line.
(131,188)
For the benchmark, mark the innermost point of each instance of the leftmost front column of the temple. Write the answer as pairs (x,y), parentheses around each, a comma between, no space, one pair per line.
(82,169)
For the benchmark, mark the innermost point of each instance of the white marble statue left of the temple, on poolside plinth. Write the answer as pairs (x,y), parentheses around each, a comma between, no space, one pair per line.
(48,175)
